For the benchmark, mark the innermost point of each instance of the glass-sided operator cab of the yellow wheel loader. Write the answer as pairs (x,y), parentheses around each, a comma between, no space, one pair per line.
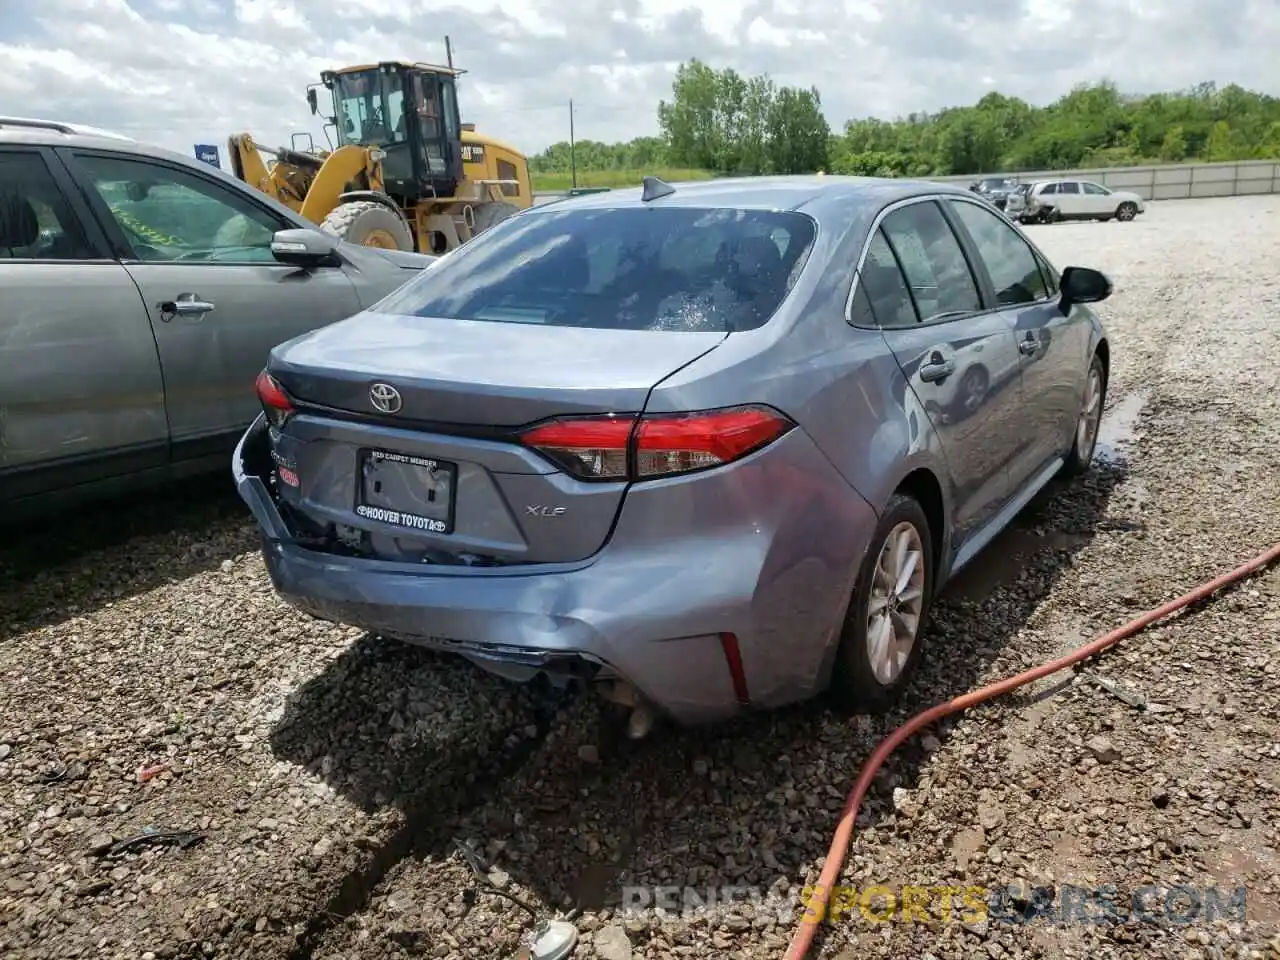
(410,112)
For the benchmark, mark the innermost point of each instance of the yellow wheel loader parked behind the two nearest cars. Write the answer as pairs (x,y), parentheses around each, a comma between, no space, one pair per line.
(406,173)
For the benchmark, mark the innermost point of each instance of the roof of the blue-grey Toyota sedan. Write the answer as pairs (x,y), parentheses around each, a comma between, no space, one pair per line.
(796,193)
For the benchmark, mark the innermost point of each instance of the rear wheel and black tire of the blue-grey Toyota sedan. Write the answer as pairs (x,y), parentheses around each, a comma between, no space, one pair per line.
(865,680)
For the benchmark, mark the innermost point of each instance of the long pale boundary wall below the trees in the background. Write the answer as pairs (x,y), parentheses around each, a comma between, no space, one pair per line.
(1160,182)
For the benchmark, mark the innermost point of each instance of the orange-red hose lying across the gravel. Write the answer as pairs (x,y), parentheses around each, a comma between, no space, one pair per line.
(835,862)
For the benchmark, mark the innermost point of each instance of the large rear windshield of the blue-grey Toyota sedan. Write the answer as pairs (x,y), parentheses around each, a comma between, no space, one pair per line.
(633,269)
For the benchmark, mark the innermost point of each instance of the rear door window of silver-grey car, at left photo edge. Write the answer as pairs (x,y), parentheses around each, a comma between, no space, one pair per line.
(36,222)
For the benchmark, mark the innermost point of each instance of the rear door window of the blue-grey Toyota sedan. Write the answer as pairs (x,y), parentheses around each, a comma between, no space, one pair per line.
(932,260)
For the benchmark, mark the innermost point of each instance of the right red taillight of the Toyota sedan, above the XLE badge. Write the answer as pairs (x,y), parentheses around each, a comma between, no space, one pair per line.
(661,445)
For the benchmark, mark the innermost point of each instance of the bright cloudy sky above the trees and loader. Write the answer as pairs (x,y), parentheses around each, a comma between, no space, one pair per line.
(184,72)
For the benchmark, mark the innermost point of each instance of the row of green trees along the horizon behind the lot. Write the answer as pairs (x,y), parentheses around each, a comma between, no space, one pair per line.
(724,122)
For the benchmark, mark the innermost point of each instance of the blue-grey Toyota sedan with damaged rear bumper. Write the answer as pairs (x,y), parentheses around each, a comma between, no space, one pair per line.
(685,444)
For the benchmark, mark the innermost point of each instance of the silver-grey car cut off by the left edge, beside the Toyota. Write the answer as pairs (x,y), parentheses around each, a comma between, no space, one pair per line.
(143,292)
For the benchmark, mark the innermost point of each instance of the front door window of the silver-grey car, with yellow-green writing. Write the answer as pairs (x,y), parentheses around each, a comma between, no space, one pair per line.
(172,216)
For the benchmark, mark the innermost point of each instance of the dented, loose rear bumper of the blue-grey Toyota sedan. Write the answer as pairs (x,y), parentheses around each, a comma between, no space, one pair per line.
(604,618)
